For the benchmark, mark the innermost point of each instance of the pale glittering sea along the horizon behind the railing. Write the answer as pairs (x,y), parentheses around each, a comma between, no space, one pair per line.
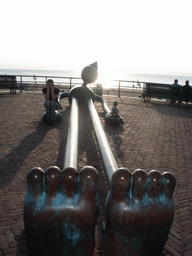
(111,80)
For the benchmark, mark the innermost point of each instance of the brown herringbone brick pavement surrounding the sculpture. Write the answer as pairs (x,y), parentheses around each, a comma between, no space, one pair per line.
(155,136)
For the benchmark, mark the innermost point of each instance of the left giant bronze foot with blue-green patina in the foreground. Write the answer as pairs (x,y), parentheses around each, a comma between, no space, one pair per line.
(60,211)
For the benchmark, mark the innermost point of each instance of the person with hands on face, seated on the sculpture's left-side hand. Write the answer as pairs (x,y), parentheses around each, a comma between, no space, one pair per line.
(51,104)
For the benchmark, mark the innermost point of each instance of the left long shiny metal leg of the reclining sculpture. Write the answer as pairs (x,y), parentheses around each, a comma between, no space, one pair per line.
(71,153)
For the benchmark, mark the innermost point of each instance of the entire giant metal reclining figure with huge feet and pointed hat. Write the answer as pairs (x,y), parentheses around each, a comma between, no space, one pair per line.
(61,208)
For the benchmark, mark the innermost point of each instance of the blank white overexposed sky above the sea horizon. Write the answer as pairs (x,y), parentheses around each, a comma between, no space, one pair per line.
(138,36)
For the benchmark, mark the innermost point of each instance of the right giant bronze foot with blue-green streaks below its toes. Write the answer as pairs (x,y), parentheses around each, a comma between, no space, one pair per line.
(139,213)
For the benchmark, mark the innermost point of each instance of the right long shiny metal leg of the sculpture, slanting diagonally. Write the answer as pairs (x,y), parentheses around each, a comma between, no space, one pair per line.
(110,164)
